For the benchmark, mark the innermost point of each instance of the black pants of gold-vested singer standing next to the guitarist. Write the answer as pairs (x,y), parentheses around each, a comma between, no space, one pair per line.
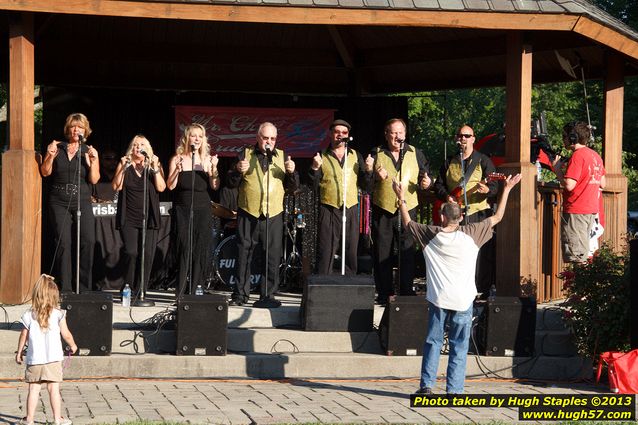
(385,236)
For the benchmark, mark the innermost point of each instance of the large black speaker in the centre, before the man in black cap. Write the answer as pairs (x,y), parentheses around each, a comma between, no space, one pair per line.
(338,303)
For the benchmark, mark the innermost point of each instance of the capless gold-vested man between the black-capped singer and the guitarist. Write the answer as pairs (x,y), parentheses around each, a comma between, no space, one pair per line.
(408,165)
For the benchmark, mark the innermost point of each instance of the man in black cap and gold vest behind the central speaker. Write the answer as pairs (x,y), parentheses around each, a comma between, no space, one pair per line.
(327,174)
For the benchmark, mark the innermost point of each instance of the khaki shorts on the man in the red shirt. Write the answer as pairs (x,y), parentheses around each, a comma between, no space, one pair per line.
(575,237)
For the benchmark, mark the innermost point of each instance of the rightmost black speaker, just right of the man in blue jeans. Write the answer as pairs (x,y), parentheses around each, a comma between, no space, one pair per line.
(508,327)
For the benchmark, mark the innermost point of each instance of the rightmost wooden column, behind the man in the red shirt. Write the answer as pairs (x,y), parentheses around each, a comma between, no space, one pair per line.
(615,193)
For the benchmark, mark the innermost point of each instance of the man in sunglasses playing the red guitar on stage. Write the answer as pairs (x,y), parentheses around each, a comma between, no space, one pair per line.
(473,168)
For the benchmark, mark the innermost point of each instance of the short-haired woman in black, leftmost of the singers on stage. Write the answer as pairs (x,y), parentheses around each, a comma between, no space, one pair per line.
(60,167)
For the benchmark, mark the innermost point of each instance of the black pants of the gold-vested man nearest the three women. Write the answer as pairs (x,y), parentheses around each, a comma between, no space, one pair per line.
(251,231)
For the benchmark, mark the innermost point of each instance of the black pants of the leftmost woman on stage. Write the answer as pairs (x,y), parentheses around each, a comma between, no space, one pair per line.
(64,224)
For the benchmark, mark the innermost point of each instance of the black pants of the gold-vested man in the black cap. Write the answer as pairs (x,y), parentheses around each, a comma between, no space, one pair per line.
(329,238)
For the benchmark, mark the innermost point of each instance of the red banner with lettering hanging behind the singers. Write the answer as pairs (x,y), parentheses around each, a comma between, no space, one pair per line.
(300,132)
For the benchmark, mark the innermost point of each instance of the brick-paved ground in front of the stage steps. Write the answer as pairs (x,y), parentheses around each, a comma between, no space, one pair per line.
(260,402)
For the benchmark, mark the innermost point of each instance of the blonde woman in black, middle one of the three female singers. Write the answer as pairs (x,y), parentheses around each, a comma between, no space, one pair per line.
(129,182)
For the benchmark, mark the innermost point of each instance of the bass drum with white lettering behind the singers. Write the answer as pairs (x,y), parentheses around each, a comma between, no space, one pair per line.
(225,264)
